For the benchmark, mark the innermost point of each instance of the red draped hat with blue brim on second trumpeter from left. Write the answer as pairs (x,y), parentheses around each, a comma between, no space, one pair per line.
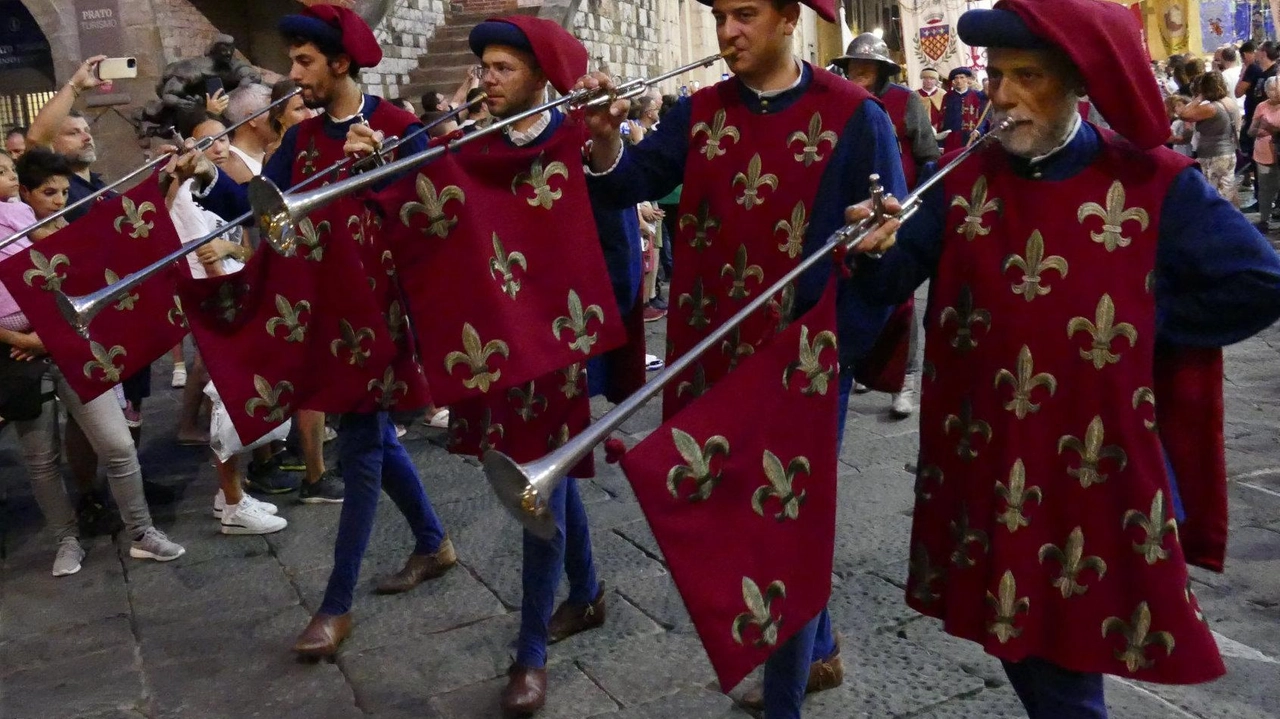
(560,56)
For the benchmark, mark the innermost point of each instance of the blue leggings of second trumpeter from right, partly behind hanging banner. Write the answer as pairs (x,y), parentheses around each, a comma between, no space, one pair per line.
(787,672)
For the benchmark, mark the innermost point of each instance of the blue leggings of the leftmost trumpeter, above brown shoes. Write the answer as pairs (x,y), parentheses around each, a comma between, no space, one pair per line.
(373,460)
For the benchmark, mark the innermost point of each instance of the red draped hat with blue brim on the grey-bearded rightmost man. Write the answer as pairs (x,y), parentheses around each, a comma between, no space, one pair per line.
(1105,43)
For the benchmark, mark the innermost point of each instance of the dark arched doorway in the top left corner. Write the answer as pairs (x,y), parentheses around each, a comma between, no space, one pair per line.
(28,77)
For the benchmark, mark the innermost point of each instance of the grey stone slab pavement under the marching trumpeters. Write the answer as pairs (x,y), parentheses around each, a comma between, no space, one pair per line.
(208,636)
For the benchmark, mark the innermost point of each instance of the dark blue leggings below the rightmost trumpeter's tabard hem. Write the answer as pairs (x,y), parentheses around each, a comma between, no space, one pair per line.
(1052,693)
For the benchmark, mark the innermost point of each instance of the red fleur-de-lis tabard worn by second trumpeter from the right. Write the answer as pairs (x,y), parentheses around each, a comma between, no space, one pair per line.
(751,182)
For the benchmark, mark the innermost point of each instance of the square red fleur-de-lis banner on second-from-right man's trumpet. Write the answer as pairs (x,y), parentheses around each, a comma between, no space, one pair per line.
(499,299)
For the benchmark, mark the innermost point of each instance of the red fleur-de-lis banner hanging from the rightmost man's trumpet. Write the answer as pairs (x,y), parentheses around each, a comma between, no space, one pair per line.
(746,511)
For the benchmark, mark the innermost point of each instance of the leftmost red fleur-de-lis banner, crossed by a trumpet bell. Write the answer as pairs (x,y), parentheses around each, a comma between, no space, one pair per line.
(117,237)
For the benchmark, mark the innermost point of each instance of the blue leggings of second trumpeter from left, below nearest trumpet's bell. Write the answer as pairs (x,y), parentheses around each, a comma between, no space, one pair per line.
(570,551)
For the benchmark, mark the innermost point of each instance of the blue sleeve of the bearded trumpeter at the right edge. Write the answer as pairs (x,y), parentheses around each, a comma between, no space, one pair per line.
(1218,280)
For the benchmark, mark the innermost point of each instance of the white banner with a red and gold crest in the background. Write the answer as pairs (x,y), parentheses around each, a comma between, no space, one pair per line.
(930,38)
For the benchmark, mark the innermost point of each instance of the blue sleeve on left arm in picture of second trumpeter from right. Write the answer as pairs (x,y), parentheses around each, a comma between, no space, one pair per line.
(652,170)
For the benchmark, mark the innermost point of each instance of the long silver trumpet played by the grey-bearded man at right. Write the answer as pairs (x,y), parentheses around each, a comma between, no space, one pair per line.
(525,489)
